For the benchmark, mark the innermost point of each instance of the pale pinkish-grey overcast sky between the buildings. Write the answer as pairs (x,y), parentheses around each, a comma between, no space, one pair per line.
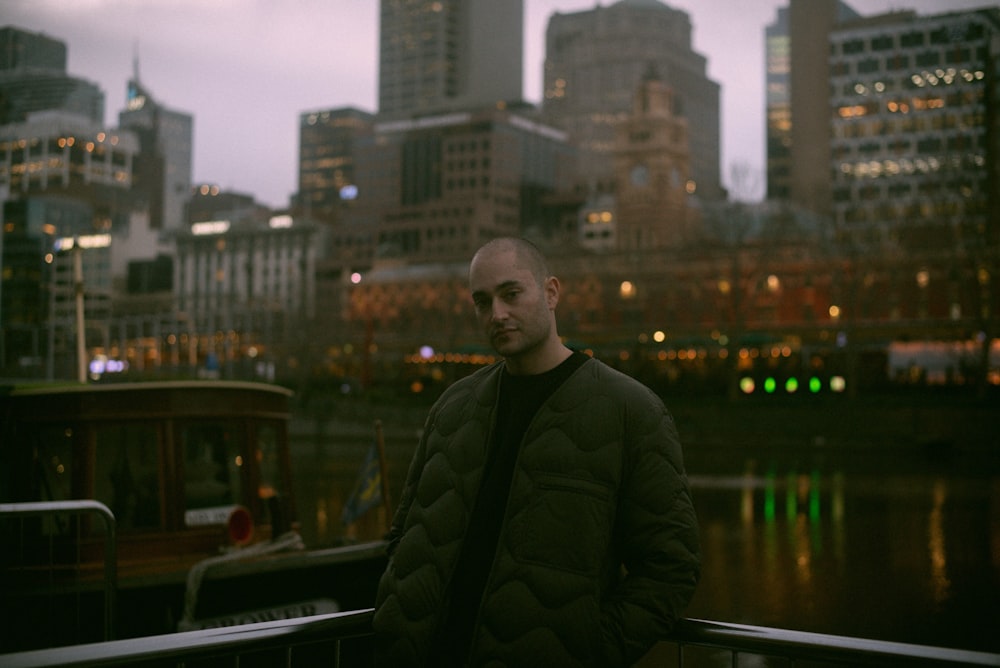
(246,69)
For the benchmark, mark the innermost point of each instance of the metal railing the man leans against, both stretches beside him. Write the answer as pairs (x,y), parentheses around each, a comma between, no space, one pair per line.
(345,639)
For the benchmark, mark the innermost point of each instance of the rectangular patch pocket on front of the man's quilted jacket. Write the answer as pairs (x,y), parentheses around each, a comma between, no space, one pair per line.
(565,525)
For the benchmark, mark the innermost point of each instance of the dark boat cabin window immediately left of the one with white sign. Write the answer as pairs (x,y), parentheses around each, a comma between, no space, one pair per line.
(126,473)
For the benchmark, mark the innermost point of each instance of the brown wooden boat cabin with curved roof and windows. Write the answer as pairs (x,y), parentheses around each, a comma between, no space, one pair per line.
(188,468)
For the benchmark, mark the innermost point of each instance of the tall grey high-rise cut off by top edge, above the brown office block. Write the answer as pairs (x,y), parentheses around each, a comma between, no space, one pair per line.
(441,56)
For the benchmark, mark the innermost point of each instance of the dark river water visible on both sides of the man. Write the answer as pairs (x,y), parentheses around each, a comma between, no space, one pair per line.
(902,547)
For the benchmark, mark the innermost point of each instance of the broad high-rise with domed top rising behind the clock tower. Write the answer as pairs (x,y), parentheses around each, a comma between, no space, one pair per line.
(596,59)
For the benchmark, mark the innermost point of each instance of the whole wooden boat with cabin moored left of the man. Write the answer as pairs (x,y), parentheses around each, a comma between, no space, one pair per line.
(198,479)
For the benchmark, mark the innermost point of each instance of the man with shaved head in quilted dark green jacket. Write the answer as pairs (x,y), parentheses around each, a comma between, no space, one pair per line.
(546,518)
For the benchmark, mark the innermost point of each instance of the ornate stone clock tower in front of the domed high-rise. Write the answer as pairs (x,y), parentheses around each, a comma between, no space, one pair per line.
(652,171)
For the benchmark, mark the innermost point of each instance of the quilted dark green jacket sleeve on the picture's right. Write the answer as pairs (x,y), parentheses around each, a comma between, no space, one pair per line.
(657,536)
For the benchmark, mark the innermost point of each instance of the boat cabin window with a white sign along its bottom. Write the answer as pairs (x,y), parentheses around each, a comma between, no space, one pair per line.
(213,461)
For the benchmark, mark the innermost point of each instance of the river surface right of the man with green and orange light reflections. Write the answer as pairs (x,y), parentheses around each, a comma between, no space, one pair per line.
(824,549)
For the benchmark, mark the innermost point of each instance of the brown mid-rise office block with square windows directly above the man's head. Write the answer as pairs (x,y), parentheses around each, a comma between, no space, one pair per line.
(443,185)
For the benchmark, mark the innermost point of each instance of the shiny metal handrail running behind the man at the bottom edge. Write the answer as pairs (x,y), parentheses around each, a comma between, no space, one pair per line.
(334,628)
